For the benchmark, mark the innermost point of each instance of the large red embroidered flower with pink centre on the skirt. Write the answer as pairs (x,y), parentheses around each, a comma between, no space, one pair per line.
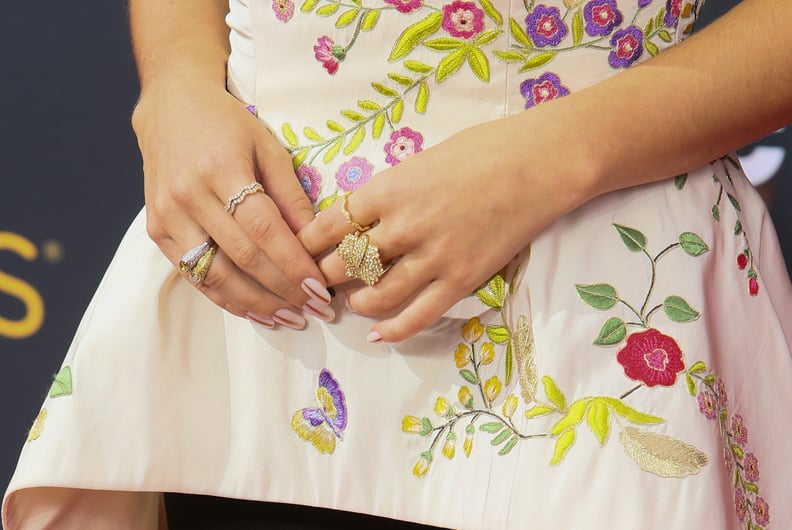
(651,357)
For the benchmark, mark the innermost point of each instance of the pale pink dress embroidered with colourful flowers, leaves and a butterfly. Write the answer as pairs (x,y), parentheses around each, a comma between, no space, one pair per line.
(630,370)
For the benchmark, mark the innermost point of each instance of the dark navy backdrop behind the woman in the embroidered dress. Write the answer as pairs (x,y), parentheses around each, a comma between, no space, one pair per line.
(71,181)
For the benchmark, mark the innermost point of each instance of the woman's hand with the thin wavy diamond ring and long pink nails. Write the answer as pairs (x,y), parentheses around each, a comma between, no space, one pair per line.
(199,146)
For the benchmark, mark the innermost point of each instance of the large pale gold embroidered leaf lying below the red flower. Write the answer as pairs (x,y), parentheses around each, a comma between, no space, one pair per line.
(661,454)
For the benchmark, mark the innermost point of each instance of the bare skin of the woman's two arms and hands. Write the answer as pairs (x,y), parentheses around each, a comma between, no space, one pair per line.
(735,91)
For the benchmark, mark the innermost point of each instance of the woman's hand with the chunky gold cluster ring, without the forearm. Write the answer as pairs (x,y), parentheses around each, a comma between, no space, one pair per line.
(447,218)
